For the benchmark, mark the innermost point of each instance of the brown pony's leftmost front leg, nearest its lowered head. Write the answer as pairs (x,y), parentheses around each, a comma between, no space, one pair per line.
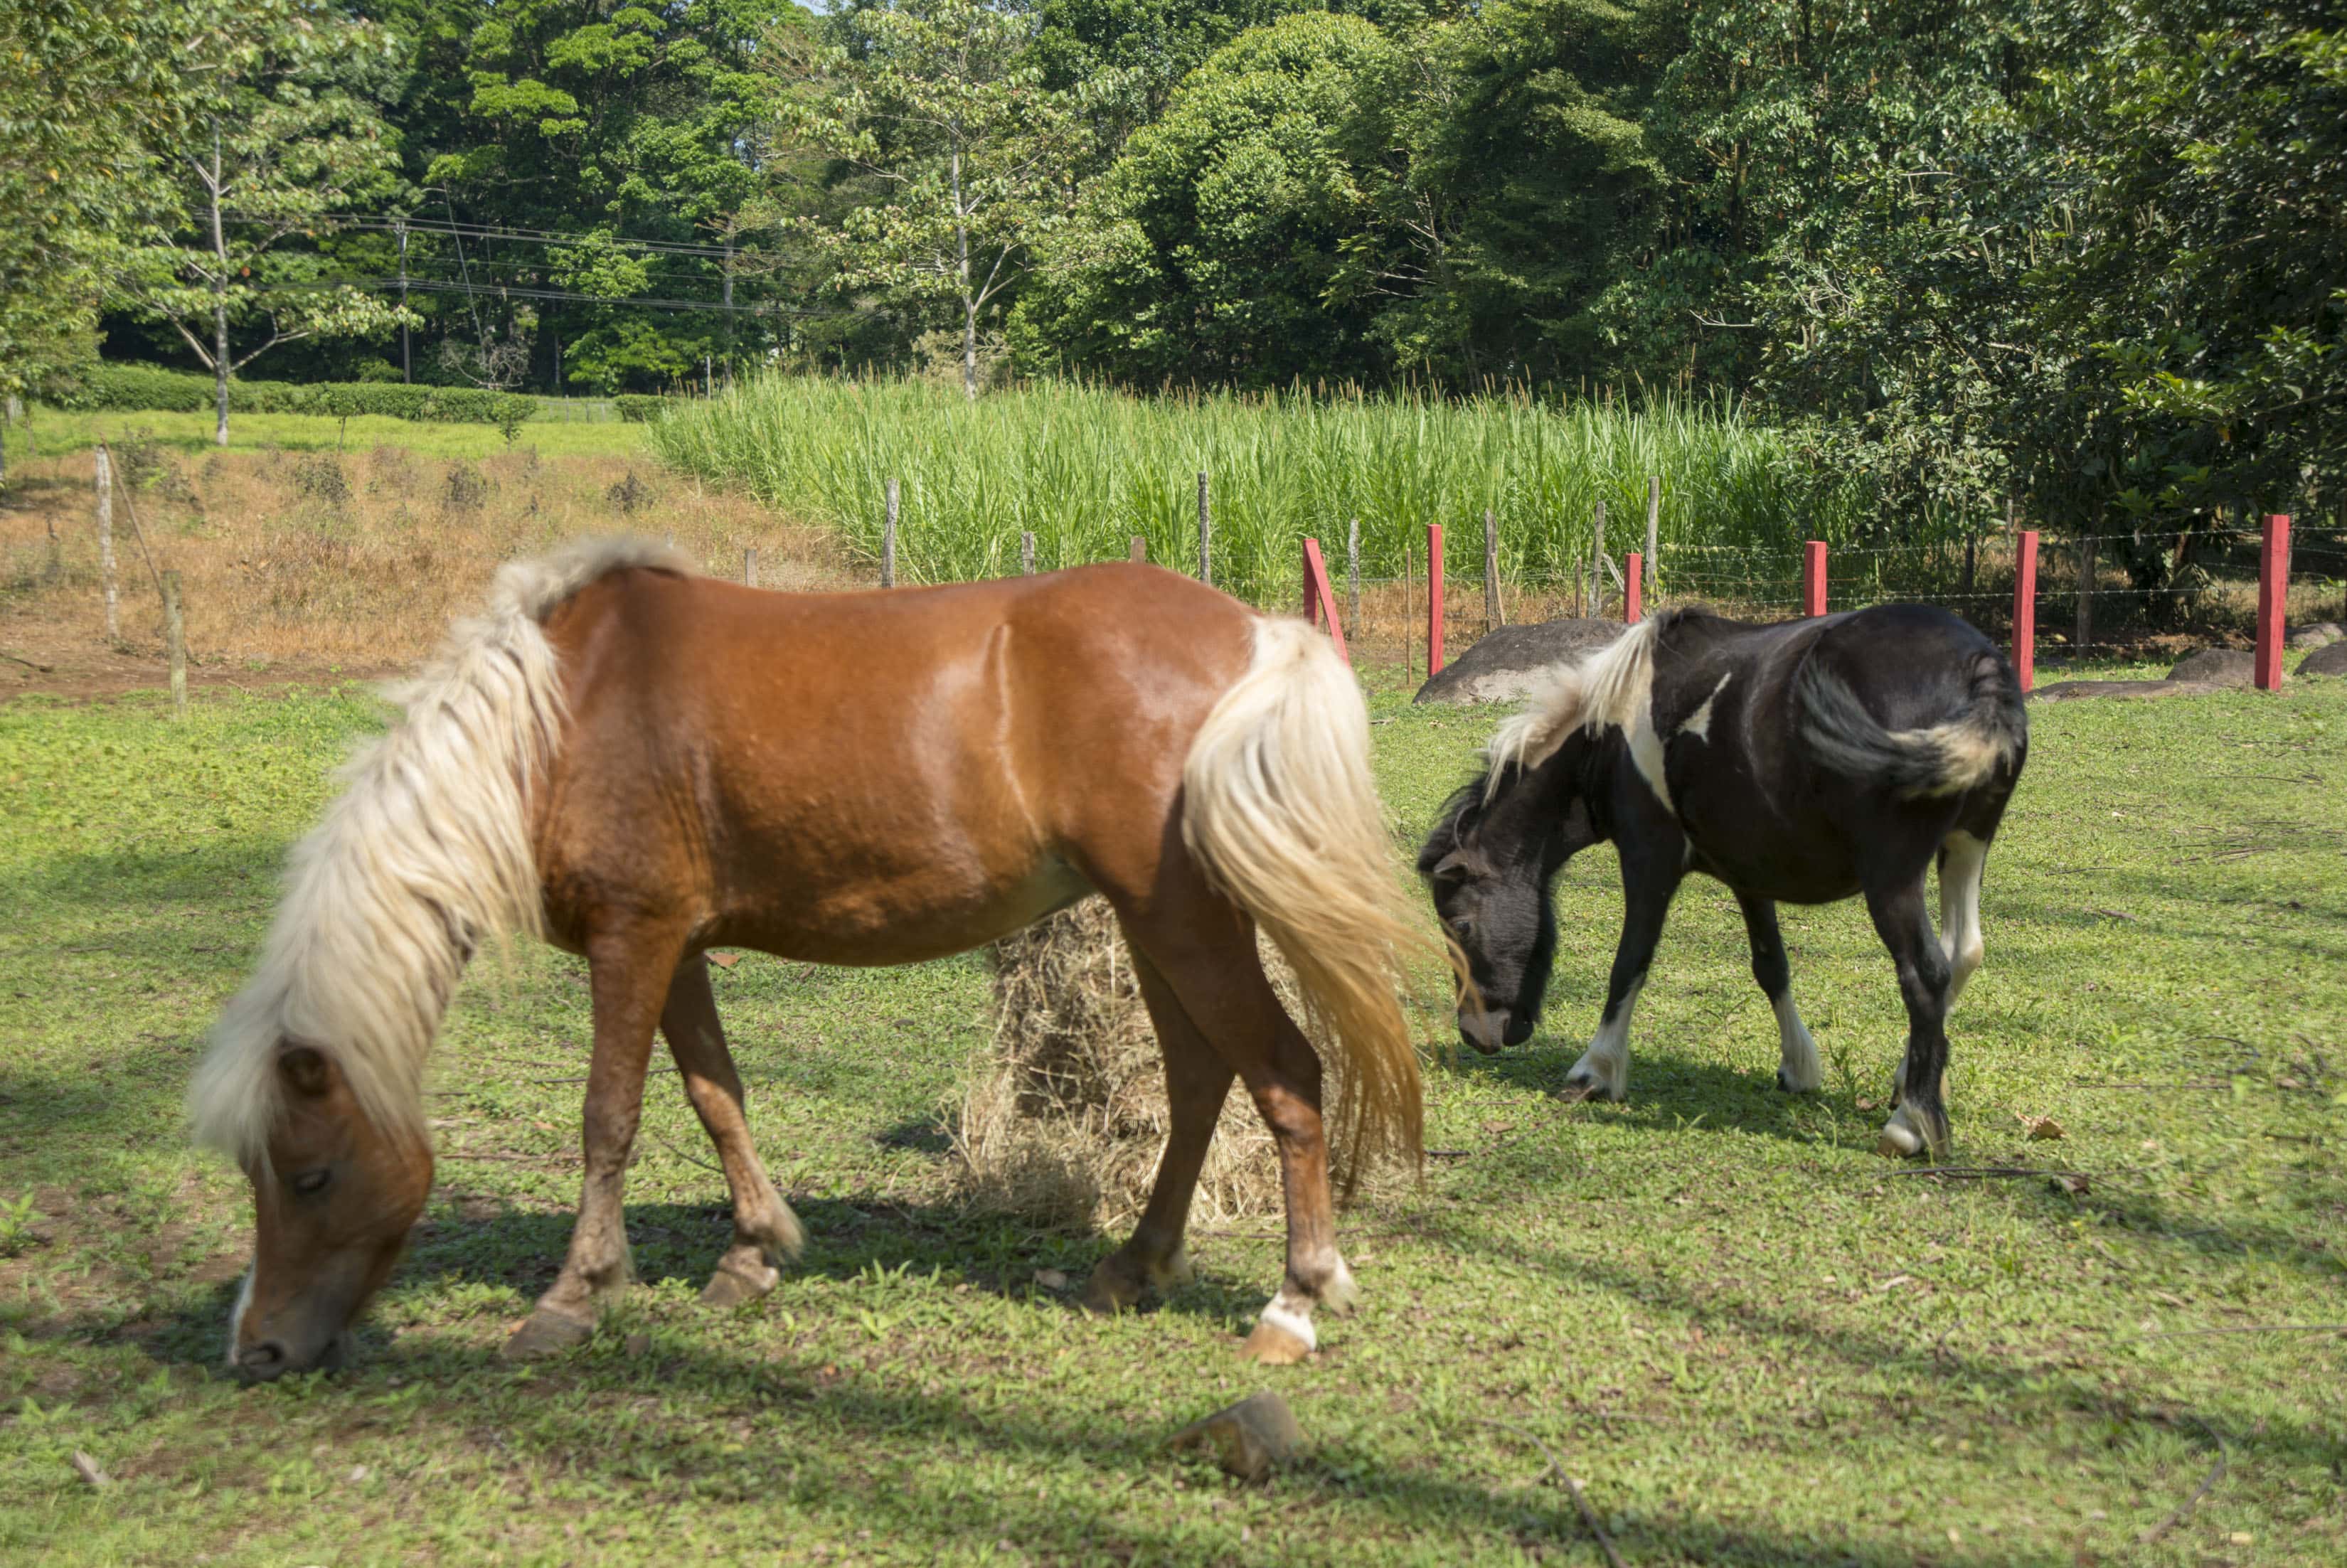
(630,980)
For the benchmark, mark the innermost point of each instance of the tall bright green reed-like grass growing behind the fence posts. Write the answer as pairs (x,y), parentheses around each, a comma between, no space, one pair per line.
(1085,471)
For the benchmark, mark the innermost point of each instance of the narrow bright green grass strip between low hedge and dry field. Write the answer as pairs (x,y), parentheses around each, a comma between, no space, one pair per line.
(55,431)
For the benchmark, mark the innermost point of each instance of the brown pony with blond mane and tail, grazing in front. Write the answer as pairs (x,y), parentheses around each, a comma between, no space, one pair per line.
(642,764)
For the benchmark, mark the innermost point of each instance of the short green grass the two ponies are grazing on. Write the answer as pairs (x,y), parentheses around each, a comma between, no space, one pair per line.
(1747,1337)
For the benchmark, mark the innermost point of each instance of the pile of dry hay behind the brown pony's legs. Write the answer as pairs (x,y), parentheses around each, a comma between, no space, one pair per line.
(1067,1114)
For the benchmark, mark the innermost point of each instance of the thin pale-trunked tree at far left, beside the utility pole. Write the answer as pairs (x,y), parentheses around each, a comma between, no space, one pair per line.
(288,147)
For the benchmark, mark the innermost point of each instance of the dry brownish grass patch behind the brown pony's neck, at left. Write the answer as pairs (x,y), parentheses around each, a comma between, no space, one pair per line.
(316,560)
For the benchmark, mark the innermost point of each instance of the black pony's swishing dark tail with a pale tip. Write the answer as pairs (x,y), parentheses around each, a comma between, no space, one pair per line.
(1944,759)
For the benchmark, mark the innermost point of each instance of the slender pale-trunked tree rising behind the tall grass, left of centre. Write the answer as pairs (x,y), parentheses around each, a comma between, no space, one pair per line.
(938,107)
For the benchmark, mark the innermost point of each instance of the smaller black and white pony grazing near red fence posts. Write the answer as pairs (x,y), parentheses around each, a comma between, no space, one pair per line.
(1804,764)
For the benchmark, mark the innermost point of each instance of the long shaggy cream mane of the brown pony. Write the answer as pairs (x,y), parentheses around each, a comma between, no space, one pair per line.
(424,858)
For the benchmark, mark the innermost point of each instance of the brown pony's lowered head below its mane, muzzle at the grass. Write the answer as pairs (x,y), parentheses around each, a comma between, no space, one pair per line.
(334,1201)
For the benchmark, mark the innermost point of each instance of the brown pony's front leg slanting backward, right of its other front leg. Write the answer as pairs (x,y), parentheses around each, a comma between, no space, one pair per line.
(766,1231)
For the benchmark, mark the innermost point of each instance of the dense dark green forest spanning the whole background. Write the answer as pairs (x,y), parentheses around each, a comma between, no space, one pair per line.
(2067,252)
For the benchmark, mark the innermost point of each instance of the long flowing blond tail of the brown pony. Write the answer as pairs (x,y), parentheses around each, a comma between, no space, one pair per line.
(1285,820)
